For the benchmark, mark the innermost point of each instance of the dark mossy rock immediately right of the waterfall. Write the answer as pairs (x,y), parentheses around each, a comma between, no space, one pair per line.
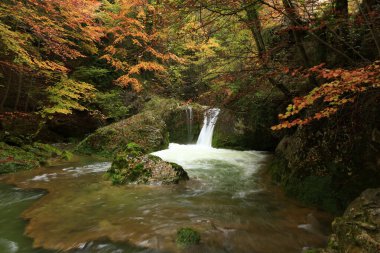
(246,123)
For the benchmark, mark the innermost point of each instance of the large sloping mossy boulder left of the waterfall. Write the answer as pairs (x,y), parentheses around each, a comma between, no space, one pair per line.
(150,129)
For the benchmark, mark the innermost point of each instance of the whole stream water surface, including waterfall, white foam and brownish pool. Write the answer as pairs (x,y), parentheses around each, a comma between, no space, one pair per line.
(226,200)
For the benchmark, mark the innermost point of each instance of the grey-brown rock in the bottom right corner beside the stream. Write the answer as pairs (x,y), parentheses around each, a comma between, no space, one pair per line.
(358,230)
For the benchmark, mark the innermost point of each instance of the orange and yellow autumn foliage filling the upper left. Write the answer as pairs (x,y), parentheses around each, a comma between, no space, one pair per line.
(43,40)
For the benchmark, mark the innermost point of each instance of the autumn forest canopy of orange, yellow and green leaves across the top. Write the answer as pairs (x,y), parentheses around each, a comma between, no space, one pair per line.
(62,56)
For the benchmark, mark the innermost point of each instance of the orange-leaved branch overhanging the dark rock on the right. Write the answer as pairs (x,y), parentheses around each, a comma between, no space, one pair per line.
(343,87)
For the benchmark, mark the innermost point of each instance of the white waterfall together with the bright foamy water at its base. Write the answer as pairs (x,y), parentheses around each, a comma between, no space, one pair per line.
(202,161)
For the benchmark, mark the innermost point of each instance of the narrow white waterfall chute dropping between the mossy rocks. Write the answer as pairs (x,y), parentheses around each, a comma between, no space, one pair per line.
(205,137)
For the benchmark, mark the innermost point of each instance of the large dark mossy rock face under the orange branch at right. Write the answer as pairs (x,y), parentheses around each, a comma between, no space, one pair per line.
(329,163)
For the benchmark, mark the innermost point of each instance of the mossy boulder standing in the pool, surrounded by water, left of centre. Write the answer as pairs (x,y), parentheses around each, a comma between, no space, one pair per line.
(133,166)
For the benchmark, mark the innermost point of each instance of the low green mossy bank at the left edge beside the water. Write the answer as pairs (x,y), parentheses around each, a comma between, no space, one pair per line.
(14,158)
